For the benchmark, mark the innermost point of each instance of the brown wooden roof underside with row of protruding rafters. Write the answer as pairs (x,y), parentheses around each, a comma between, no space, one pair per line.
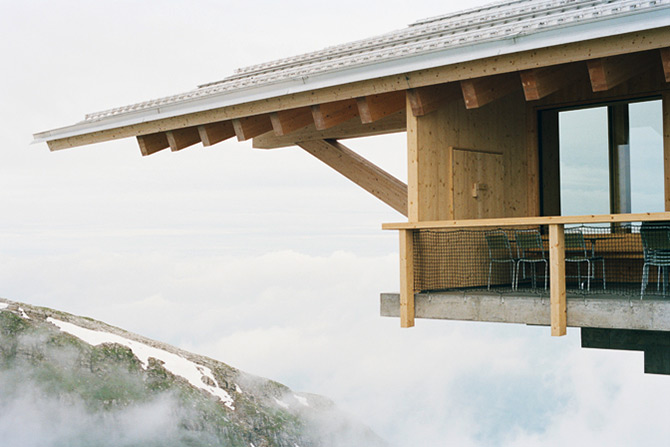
(386,113)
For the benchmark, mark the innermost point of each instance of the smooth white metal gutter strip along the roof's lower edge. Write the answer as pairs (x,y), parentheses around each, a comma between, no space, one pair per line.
(512,44)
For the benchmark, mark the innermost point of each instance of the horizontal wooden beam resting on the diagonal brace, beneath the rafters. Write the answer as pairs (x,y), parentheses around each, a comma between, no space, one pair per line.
(349,129)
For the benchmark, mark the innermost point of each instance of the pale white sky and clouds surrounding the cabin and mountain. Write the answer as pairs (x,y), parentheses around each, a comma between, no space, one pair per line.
(266,260)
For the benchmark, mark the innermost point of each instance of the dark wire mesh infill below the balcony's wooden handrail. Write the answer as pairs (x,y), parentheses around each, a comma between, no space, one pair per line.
(621,259)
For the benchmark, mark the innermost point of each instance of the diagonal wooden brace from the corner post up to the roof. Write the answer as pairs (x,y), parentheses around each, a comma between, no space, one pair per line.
(368,176)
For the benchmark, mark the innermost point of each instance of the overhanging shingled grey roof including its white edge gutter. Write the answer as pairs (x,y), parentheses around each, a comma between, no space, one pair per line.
(501,28)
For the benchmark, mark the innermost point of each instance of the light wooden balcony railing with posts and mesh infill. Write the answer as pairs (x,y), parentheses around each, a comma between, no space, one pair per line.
(447,255)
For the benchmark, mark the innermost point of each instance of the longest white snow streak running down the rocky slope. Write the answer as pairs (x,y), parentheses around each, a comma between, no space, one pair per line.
(197,375)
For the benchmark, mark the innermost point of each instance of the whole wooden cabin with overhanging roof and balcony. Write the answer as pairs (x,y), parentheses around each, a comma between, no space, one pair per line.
(489,99)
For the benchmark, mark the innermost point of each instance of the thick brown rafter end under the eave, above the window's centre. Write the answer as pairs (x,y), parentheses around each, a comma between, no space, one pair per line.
(608,72)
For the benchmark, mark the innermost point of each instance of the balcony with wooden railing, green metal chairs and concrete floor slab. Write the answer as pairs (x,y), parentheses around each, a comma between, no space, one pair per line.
(448,271)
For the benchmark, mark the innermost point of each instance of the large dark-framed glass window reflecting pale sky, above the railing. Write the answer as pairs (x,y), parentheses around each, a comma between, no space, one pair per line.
(601,160)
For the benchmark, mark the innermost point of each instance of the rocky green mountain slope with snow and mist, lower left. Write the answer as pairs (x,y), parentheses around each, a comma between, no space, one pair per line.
(74,381)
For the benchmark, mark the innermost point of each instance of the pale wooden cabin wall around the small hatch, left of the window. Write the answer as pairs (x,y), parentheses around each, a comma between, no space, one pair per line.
(497,127)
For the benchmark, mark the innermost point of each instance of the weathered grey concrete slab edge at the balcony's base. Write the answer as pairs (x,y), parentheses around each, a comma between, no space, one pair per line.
(607,311)
